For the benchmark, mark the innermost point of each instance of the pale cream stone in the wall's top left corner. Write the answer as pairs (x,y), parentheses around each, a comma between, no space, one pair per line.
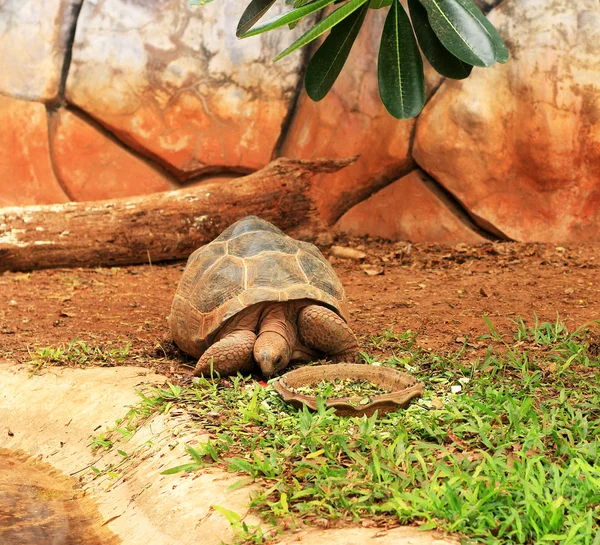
(33,39)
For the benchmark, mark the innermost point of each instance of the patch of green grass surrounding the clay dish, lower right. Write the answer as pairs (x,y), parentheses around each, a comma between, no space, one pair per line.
(503,447)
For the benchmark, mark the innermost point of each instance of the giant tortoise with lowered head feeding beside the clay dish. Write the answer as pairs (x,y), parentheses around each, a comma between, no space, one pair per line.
(257,296)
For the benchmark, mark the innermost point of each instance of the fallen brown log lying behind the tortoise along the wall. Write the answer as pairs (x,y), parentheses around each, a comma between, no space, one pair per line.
(161,226)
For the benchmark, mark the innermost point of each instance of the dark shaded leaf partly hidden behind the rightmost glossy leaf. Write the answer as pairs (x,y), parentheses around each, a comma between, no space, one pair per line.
(438,56)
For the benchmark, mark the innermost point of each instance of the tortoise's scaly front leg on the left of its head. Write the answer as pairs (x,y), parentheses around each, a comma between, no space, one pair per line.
(231,354)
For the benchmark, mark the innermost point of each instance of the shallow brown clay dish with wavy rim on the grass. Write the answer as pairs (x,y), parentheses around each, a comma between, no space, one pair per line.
(402,387)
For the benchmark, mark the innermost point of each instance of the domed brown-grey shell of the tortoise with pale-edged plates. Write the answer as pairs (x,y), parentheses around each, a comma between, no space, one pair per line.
(250,262)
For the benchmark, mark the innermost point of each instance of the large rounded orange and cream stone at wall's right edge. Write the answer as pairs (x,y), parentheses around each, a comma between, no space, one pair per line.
(519,144)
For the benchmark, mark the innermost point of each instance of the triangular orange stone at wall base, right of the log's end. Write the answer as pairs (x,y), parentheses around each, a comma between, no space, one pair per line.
(411,208)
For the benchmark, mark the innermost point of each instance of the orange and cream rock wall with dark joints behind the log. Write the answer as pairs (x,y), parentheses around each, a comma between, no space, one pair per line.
(111,98)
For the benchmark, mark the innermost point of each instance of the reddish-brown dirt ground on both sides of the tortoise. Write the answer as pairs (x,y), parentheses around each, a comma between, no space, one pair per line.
(442,292)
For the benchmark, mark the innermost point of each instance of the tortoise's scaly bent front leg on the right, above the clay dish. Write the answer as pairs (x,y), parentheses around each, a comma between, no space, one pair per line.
(323,330)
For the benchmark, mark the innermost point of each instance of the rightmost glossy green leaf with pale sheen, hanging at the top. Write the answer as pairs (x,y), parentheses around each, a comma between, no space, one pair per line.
(461,32)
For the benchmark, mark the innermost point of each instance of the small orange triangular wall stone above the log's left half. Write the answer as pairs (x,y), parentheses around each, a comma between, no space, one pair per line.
(92,166)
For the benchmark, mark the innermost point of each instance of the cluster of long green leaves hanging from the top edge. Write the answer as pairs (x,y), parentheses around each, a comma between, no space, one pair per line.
(453,35)
